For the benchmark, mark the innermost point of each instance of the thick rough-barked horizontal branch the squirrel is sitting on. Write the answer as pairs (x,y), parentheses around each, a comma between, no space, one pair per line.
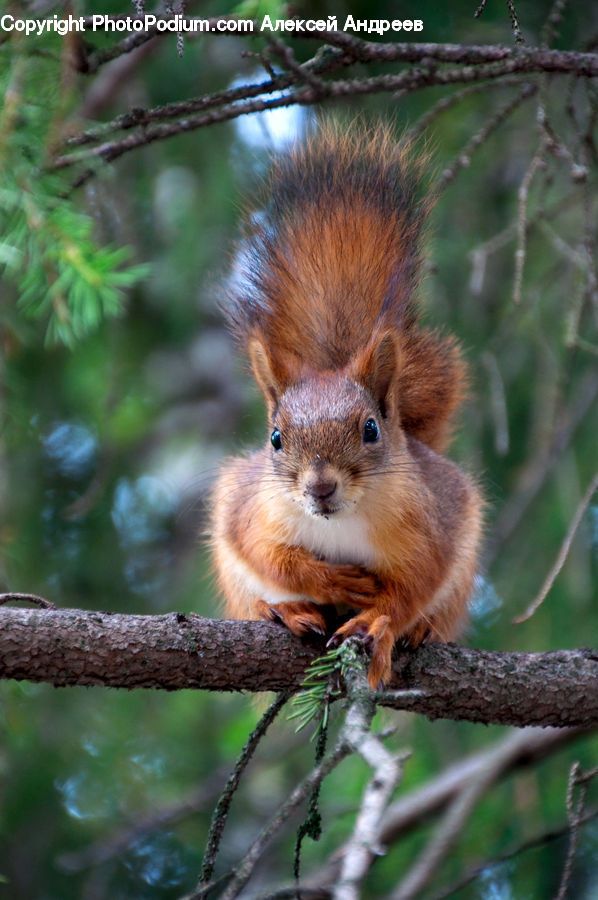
(174,651)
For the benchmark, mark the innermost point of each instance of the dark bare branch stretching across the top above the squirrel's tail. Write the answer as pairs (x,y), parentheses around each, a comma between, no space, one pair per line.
(470,64)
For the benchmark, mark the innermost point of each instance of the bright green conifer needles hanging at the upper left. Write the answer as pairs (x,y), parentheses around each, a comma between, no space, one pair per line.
(47,247)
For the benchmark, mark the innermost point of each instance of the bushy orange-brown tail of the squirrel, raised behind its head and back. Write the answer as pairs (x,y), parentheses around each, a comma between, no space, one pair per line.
(333,260)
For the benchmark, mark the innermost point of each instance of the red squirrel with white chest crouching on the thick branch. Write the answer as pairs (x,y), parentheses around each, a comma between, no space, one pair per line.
(350,502)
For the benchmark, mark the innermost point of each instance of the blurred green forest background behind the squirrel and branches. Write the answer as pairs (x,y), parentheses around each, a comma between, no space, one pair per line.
(108,447)
